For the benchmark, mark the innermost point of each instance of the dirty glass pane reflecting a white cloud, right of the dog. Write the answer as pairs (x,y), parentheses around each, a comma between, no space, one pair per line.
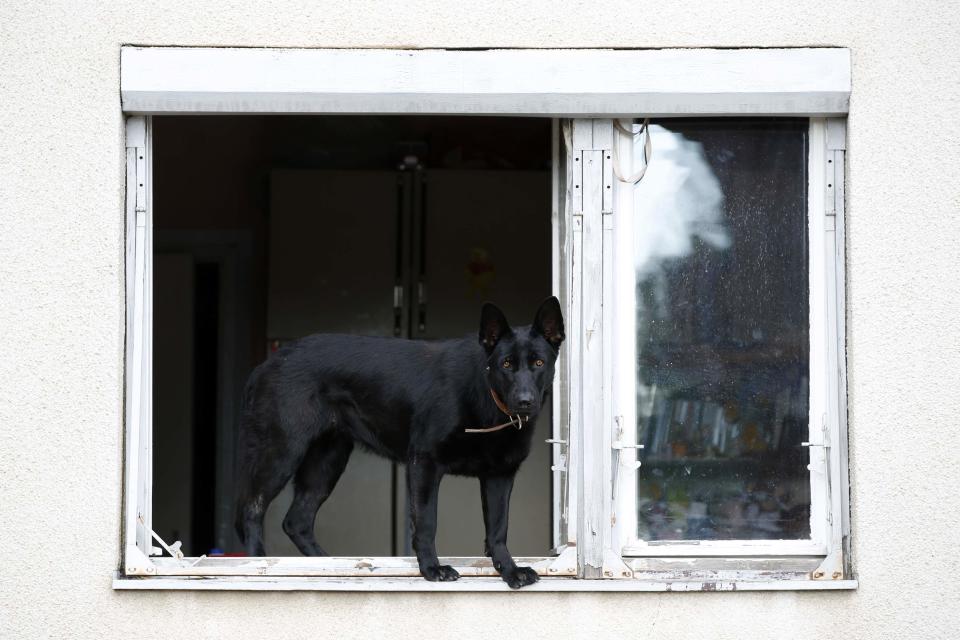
(722,331)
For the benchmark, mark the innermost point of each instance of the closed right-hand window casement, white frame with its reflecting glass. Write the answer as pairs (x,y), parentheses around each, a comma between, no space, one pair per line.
(734,269)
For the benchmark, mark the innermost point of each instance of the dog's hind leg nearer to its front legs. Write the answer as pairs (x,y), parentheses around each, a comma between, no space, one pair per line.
(314,482)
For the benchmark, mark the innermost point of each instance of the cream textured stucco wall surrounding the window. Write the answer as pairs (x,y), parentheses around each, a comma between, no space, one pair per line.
(61,317)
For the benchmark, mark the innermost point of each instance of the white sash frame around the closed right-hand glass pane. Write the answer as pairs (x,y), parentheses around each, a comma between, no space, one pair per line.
(825,549)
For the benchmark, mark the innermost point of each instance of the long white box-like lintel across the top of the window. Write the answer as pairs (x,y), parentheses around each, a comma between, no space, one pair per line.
(531,82)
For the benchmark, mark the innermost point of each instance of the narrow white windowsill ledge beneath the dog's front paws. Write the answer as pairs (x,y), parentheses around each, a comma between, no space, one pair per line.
(550,584)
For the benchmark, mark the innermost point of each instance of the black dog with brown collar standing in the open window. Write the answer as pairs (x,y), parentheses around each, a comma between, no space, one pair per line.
(439,407)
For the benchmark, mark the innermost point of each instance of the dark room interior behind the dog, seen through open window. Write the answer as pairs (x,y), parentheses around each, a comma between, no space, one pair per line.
(393,226)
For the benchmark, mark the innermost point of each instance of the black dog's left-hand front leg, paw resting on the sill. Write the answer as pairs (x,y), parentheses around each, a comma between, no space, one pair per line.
(423,488)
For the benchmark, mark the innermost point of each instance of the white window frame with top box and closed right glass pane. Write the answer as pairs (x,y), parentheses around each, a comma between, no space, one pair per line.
(698,423)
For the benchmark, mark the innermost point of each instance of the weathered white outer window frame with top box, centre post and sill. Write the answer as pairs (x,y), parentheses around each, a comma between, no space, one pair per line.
(596,84)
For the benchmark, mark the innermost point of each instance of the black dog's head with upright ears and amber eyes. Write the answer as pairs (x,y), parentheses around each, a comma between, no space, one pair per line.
(520,362)
